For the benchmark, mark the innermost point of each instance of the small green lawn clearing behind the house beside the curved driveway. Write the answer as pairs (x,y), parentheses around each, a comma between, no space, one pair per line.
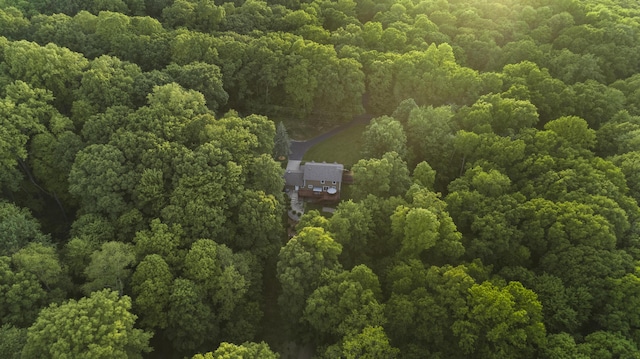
(342,148)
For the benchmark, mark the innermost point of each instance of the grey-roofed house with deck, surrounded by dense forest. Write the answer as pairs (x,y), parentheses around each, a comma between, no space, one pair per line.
(316,181)
